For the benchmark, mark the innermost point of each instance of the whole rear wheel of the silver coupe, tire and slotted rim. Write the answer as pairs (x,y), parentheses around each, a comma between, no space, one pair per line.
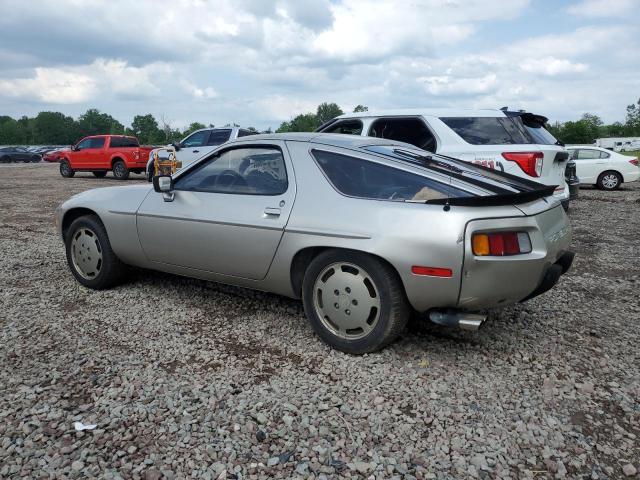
(354,301)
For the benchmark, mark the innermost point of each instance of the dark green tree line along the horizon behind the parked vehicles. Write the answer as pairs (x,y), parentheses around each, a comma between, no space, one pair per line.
(55,128)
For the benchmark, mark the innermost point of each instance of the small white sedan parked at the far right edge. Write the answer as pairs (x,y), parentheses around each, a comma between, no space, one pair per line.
(604,168)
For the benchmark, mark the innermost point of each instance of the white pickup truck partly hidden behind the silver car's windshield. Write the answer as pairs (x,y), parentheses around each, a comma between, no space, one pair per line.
(200,143)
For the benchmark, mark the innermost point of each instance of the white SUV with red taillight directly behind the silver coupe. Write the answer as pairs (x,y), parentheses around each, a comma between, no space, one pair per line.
(513,142)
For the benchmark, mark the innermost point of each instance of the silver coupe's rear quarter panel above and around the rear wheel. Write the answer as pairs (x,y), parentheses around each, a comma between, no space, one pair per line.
(403,234)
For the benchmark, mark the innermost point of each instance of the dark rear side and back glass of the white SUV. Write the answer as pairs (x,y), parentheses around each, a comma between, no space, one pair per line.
(515,128)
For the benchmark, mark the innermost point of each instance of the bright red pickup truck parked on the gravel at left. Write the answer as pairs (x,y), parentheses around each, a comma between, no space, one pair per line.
(101,153)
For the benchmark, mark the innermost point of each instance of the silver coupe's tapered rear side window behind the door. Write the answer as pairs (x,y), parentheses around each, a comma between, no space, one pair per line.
(355,177)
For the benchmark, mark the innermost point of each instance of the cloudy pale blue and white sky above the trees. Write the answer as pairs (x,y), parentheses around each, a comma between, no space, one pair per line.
(257,63)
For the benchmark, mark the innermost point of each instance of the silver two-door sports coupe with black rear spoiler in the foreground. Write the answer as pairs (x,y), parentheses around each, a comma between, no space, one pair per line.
(364,230)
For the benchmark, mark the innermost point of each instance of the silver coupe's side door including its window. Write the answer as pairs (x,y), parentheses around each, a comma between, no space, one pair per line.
(227,215)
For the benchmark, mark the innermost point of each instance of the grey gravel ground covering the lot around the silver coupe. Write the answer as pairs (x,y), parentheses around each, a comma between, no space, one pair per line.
(185,378)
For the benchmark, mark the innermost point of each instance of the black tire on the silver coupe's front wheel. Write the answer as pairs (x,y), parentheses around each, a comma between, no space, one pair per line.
(110,270)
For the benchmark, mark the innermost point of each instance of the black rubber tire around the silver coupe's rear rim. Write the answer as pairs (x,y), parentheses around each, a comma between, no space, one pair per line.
(393,311)
